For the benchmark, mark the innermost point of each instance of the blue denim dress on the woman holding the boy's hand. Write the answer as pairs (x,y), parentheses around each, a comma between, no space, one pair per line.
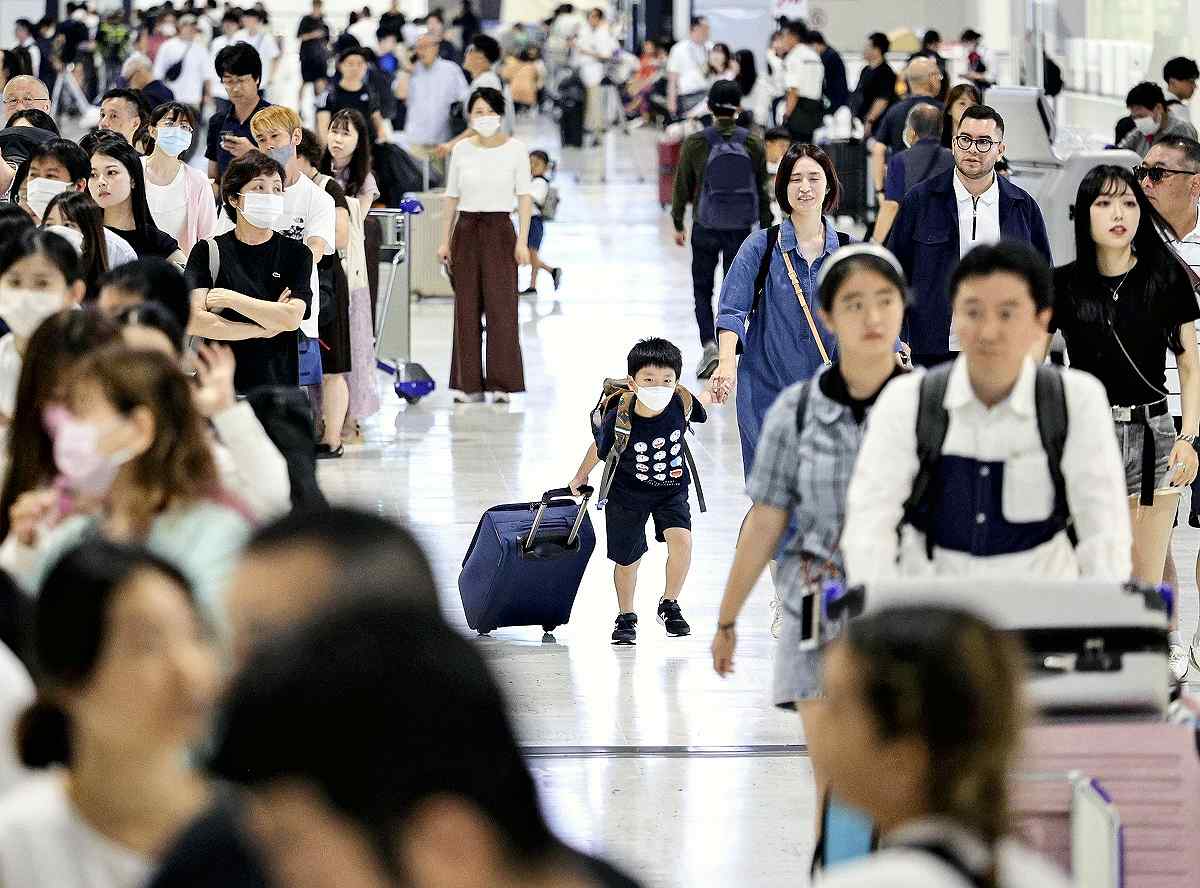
(778,345)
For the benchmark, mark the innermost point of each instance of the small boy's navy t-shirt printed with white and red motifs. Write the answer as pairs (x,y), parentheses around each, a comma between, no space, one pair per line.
(652,469)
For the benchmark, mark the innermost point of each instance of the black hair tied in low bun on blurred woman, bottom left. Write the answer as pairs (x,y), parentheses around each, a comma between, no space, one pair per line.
(71,621)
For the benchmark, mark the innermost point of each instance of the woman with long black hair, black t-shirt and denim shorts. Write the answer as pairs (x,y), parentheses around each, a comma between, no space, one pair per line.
(1123,303)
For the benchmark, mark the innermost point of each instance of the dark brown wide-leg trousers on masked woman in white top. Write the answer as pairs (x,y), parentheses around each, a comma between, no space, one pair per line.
(485,284)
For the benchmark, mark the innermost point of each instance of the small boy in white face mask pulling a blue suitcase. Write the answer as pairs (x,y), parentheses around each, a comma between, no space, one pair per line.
(651,482)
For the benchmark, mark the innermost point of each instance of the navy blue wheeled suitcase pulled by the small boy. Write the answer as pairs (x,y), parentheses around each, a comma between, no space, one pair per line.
(526,562)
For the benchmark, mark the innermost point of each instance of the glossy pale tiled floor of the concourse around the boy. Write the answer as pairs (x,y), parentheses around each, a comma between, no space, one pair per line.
(737,814)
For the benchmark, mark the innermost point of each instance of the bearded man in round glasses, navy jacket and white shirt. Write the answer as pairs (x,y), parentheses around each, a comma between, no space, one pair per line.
(944,218)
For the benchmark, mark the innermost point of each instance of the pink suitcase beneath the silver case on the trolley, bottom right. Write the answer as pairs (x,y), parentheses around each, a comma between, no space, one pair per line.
(1153,772)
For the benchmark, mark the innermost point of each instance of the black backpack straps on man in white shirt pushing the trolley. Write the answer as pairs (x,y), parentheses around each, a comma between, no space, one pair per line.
(933,421)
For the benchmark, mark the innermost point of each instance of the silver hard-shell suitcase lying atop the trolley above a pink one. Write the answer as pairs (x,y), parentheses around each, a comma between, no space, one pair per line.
(1094,647)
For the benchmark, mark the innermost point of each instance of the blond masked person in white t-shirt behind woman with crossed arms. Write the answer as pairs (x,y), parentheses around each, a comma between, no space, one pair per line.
(309,214)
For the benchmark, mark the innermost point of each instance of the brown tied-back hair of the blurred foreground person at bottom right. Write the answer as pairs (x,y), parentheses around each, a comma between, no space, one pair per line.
(950,680)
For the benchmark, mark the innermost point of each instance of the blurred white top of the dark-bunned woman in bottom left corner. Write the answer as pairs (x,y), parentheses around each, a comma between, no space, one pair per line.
(46,844)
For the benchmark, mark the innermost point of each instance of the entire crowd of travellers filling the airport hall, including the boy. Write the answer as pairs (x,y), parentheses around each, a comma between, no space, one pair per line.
(211,677)
